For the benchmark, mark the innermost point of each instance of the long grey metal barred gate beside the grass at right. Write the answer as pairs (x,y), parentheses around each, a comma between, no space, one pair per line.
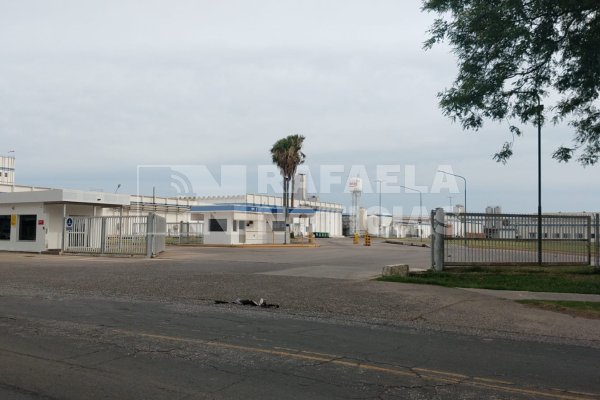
(472,239)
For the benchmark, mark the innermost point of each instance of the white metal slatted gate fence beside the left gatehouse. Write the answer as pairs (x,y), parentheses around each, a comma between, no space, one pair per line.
(131,235)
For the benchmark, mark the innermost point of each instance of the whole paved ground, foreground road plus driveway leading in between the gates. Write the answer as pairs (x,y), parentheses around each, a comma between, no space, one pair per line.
(93,328)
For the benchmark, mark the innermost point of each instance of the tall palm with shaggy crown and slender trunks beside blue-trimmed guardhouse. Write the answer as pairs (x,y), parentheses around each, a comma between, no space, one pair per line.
(287,154)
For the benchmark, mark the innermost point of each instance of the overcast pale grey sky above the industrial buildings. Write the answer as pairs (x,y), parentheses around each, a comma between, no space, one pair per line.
(89,90)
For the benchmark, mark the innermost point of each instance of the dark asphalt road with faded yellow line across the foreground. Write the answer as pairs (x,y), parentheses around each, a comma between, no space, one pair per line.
(95,348)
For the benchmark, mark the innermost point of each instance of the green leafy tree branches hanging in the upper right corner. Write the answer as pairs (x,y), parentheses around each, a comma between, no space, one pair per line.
(511,54)
